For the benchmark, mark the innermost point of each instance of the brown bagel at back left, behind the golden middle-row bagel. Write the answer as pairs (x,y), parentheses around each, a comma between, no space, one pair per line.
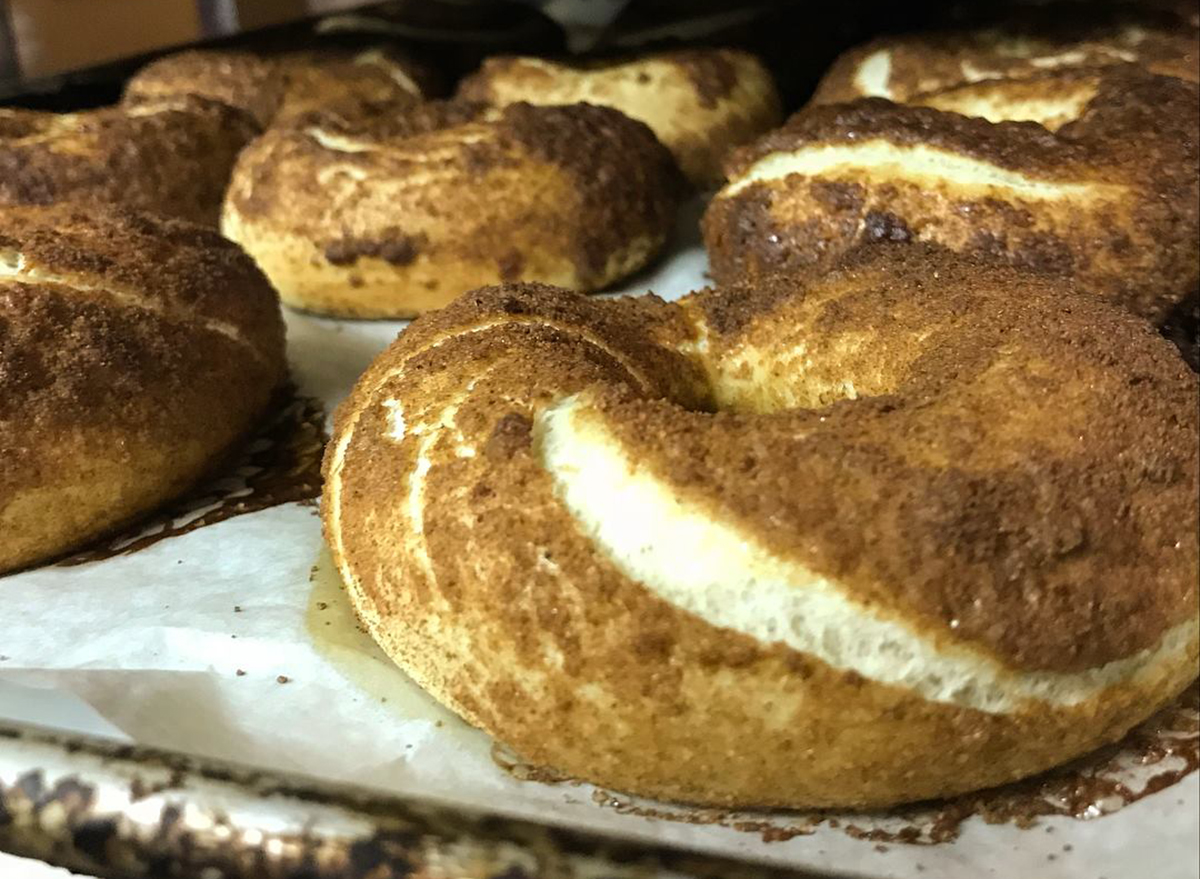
(277,87)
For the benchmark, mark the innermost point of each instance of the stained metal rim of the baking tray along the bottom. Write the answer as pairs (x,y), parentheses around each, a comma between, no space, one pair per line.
(123,811)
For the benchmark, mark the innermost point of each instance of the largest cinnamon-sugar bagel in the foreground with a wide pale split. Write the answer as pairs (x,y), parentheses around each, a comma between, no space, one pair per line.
(915,528)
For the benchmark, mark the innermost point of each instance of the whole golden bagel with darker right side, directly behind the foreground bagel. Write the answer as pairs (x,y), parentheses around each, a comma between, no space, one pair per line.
(368,214)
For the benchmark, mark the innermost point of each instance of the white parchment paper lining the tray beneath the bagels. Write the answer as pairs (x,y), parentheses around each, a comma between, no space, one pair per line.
(235,641)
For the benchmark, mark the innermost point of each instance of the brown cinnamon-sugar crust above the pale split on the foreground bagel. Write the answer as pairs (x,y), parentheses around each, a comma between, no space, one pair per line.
(1057,542)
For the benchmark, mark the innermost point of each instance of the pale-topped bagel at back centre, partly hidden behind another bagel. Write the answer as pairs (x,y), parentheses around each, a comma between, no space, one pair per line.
(699,103)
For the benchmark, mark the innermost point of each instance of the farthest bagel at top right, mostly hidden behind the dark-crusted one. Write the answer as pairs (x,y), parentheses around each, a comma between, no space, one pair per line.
(903,68)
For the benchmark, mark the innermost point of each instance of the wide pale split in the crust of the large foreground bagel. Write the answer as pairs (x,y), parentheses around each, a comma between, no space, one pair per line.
(724,577)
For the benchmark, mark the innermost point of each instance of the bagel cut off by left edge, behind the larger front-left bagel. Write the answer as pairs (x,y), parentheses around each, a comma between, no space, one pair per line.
(169,158)
